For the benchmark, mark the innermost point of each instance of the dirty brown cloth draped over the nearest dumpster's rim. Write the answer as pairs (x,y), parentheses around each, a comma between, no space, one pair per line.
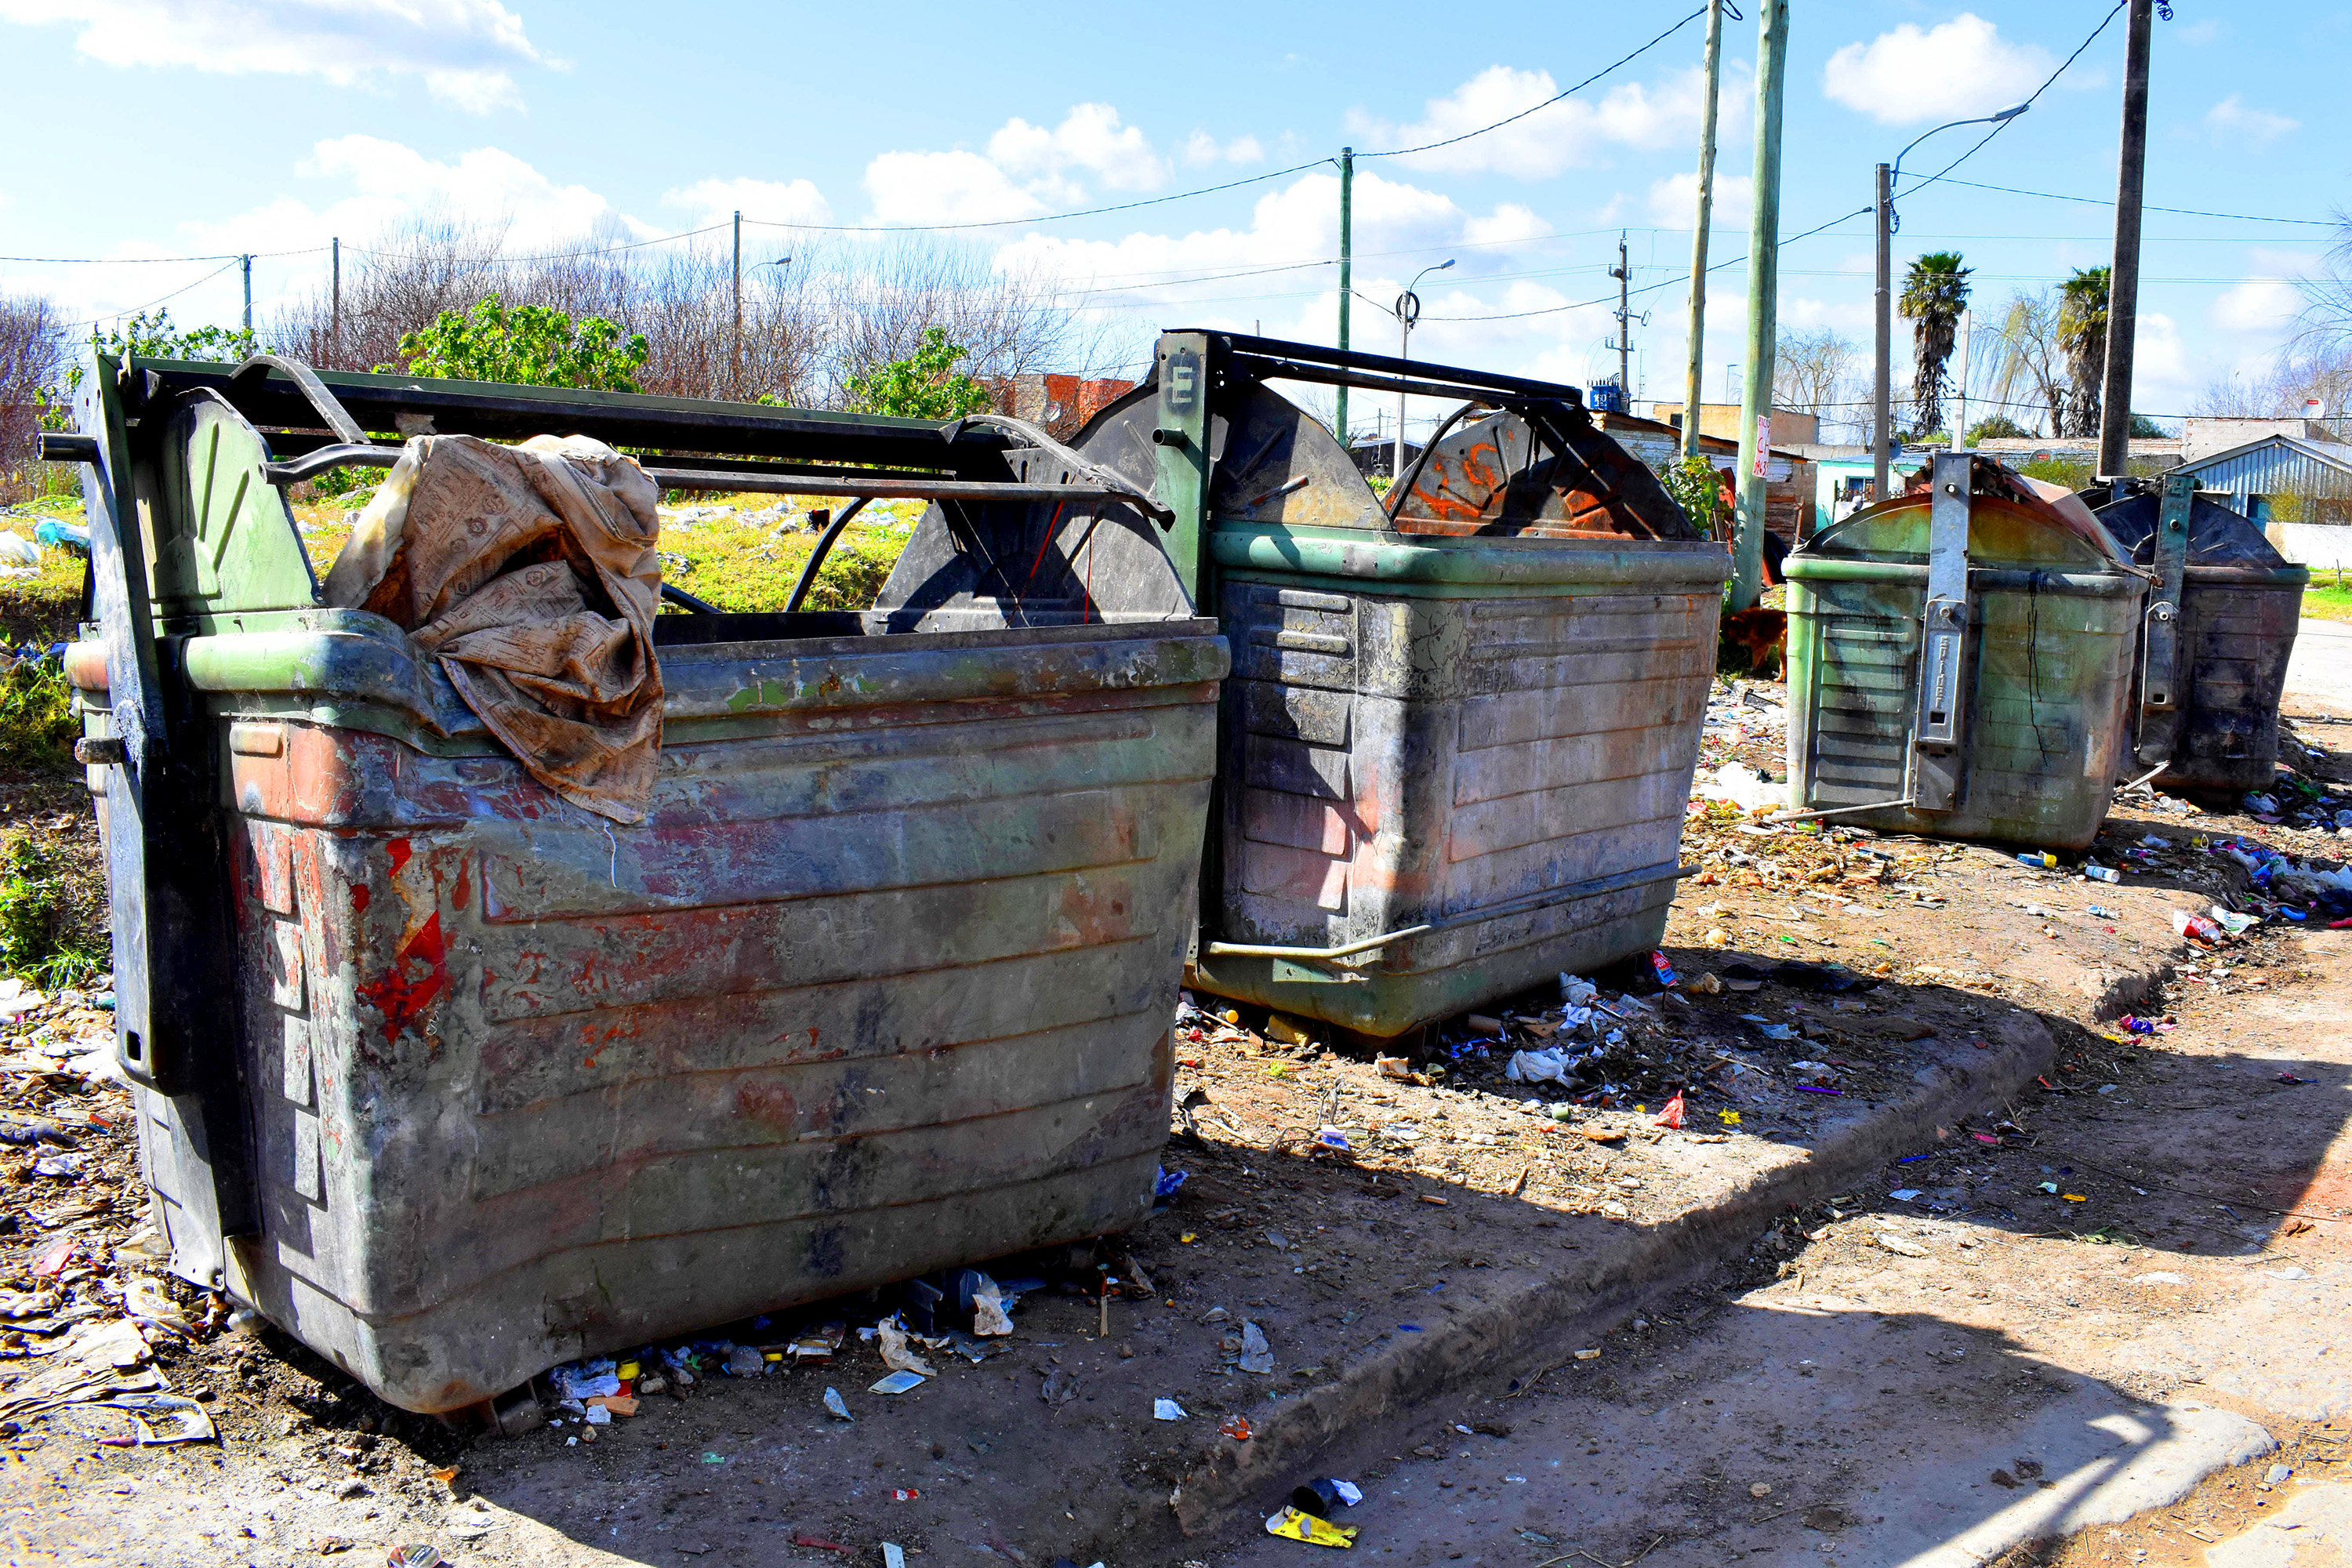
(530,572)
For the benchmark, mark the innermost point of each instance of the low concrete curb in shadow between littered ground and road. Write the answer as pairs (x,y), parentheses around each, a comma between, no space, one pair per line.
(1528,1322)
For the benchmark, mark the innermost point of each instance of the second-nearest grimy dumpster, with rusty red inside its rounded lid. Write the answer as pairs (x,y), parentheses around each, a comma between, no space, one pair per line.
(1459,737)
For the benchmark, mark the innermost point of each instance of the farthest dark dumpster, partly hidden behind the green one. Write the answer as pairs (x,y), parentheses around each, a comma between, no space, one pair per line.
(2221,626)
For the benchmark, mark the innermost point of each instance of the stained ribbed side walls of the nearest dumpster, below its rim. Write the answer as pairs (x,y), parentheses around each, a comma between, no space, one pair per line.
(848,1007)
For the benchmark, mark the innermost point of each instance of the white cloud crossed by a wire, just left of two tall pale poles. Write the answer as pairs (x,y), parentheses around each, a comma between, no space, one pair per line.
(1565,135)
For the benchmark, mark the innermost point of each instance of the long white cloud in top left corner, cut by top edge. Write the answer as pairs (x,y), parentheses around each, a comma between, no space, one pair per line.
(462,51)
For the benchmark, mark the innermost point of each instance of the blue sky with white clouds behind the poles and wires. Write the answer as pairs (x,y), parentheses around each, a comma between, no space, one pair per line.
(227,126)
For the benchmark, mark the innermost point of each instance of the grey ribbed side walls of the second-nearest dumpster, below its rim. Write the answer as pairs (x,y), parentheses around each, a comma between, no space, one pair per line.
(1495,753)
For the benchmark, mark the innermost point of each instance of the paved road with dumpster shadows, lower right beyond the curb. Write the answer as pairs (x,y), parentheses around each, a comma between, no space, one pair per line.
(1977,1381)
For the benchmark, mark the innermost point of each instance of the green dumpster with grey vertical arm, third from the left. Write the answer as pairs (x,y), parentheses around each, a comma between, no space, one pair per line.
(1960,662)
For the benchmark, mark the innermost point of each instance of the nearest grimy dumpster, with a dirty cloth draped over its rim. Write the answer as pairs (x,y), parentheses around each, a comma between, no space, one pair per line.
(455,1080)
